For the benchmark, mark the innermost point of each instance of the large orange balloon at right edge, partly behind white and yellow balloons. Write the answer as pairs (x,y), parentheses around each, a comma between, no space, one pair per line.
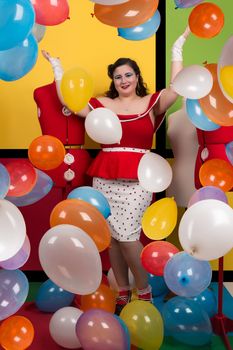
(215,105)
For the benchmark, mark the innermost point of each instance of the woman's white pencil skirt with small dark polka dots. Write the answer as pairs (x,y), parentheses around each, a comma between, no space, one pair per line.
(128,201)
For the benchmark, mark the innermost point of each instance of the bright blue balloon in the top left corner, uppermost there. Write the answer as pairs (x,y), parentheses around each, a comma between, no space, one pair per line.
(17,18)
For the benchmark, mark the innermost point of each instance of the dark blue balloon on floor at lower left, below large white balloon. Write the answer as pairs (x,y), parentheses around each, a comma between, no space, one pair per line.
(51,297)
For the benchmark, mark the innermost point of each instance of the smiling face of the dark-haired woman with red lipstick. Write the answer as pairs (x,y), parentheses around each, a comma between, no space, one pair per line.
(125,80)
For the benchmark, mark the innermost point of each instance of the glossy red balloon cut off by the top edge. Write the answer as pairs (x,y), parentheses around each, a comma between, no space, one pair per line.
(50,12)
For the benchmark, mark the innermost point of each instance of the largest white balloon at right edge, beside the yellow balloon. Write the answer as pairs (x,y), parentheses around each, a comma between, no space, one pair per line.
(205,229)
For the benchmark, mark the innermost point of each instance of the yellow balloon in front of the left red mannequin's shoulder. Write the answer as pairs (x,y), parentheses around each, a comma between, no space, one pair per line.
(76,88)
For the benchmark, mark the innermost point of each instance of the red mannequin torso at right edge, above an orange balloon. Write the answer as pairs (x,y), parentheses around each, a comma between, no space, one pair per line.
(212,145)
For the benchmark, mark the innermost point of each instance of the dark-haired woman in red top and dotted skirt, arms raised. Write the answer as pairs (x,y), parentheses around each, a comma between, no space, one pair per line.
(114,170)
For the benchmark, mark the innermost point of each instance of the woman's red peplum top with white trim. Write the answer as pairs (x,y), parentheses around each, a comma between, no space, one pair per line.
(137,133)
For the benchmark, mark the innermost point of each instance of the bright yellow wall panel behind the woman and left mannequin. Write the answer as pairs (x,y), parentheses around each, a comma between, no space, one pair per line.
(81,41)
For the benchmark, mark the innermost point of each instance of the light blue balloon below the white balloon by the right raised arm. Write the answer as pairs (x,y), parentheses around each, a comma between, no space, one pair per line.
(198,117)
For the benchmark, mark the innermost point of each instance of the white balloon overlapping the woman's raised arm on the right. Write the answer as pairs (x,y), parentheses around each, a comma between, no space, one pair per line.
(193,82)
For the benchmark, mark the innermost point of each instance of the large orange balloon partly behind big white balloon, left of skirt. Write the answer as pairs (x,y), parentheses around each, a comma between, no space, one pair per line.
(84,215)
